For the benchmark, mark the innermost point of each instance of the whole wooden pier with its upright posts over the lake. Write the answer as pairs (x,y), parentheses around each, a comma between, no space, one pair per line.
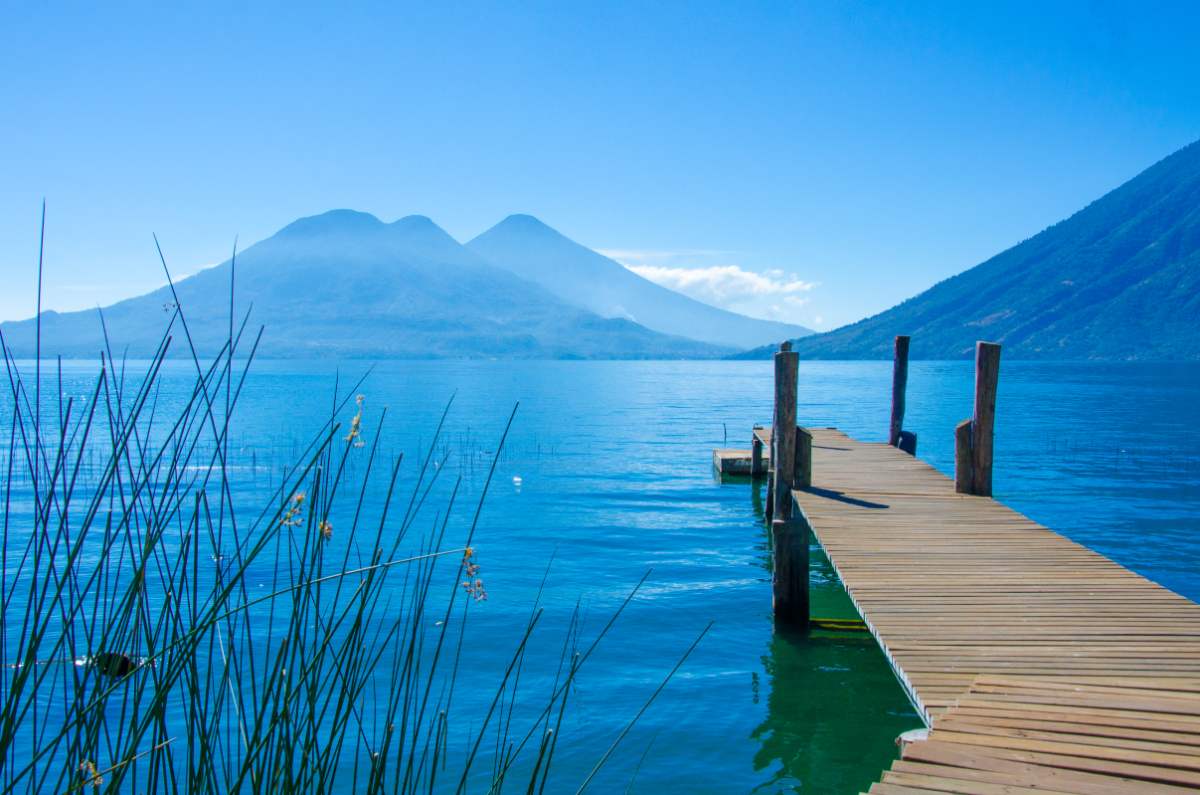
(1040,665)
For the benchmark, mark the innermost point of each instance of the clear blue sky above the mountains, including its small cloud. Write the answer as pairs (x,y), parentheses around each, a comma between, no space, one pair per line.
(841,156)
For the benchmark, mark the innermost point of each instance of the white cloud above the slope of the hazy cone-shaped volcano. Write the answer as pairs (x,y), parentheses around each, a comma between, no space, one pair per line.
(770,295)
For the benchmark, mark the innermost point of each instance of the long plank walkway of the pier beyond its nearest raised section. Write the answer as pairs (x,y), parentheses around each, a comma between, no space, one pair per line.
(956,587)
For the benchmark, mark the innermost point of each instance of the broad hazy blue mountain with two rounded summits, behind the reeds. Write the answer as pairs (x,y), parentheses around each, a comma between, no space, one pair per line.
(347,285)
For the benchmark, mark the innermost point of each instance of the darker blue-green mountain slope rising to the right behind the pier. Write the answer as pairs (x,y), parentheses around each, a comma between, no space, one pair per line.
(1118,280)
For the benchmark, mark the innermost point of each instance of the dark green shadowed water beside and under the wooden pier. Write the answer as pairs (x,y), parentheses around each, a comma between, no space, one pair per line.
(823,688)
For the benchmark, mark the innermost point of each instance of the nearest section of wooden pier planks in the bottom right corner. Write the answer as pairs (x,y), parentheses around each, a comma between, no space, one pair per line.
(1051,736)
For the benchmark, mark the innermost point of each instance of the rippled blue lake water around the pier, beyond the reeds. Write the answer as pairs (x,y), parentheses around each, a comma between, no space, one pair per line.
(608,473)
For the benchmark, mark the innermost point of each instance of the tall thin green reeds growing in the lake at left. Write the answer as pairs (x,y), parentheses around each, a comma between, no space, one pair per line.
(158,636)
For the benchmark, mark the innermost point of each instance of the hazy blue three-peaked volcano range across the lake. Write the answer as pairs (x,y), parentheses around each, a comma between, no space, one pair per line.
(345,284)
